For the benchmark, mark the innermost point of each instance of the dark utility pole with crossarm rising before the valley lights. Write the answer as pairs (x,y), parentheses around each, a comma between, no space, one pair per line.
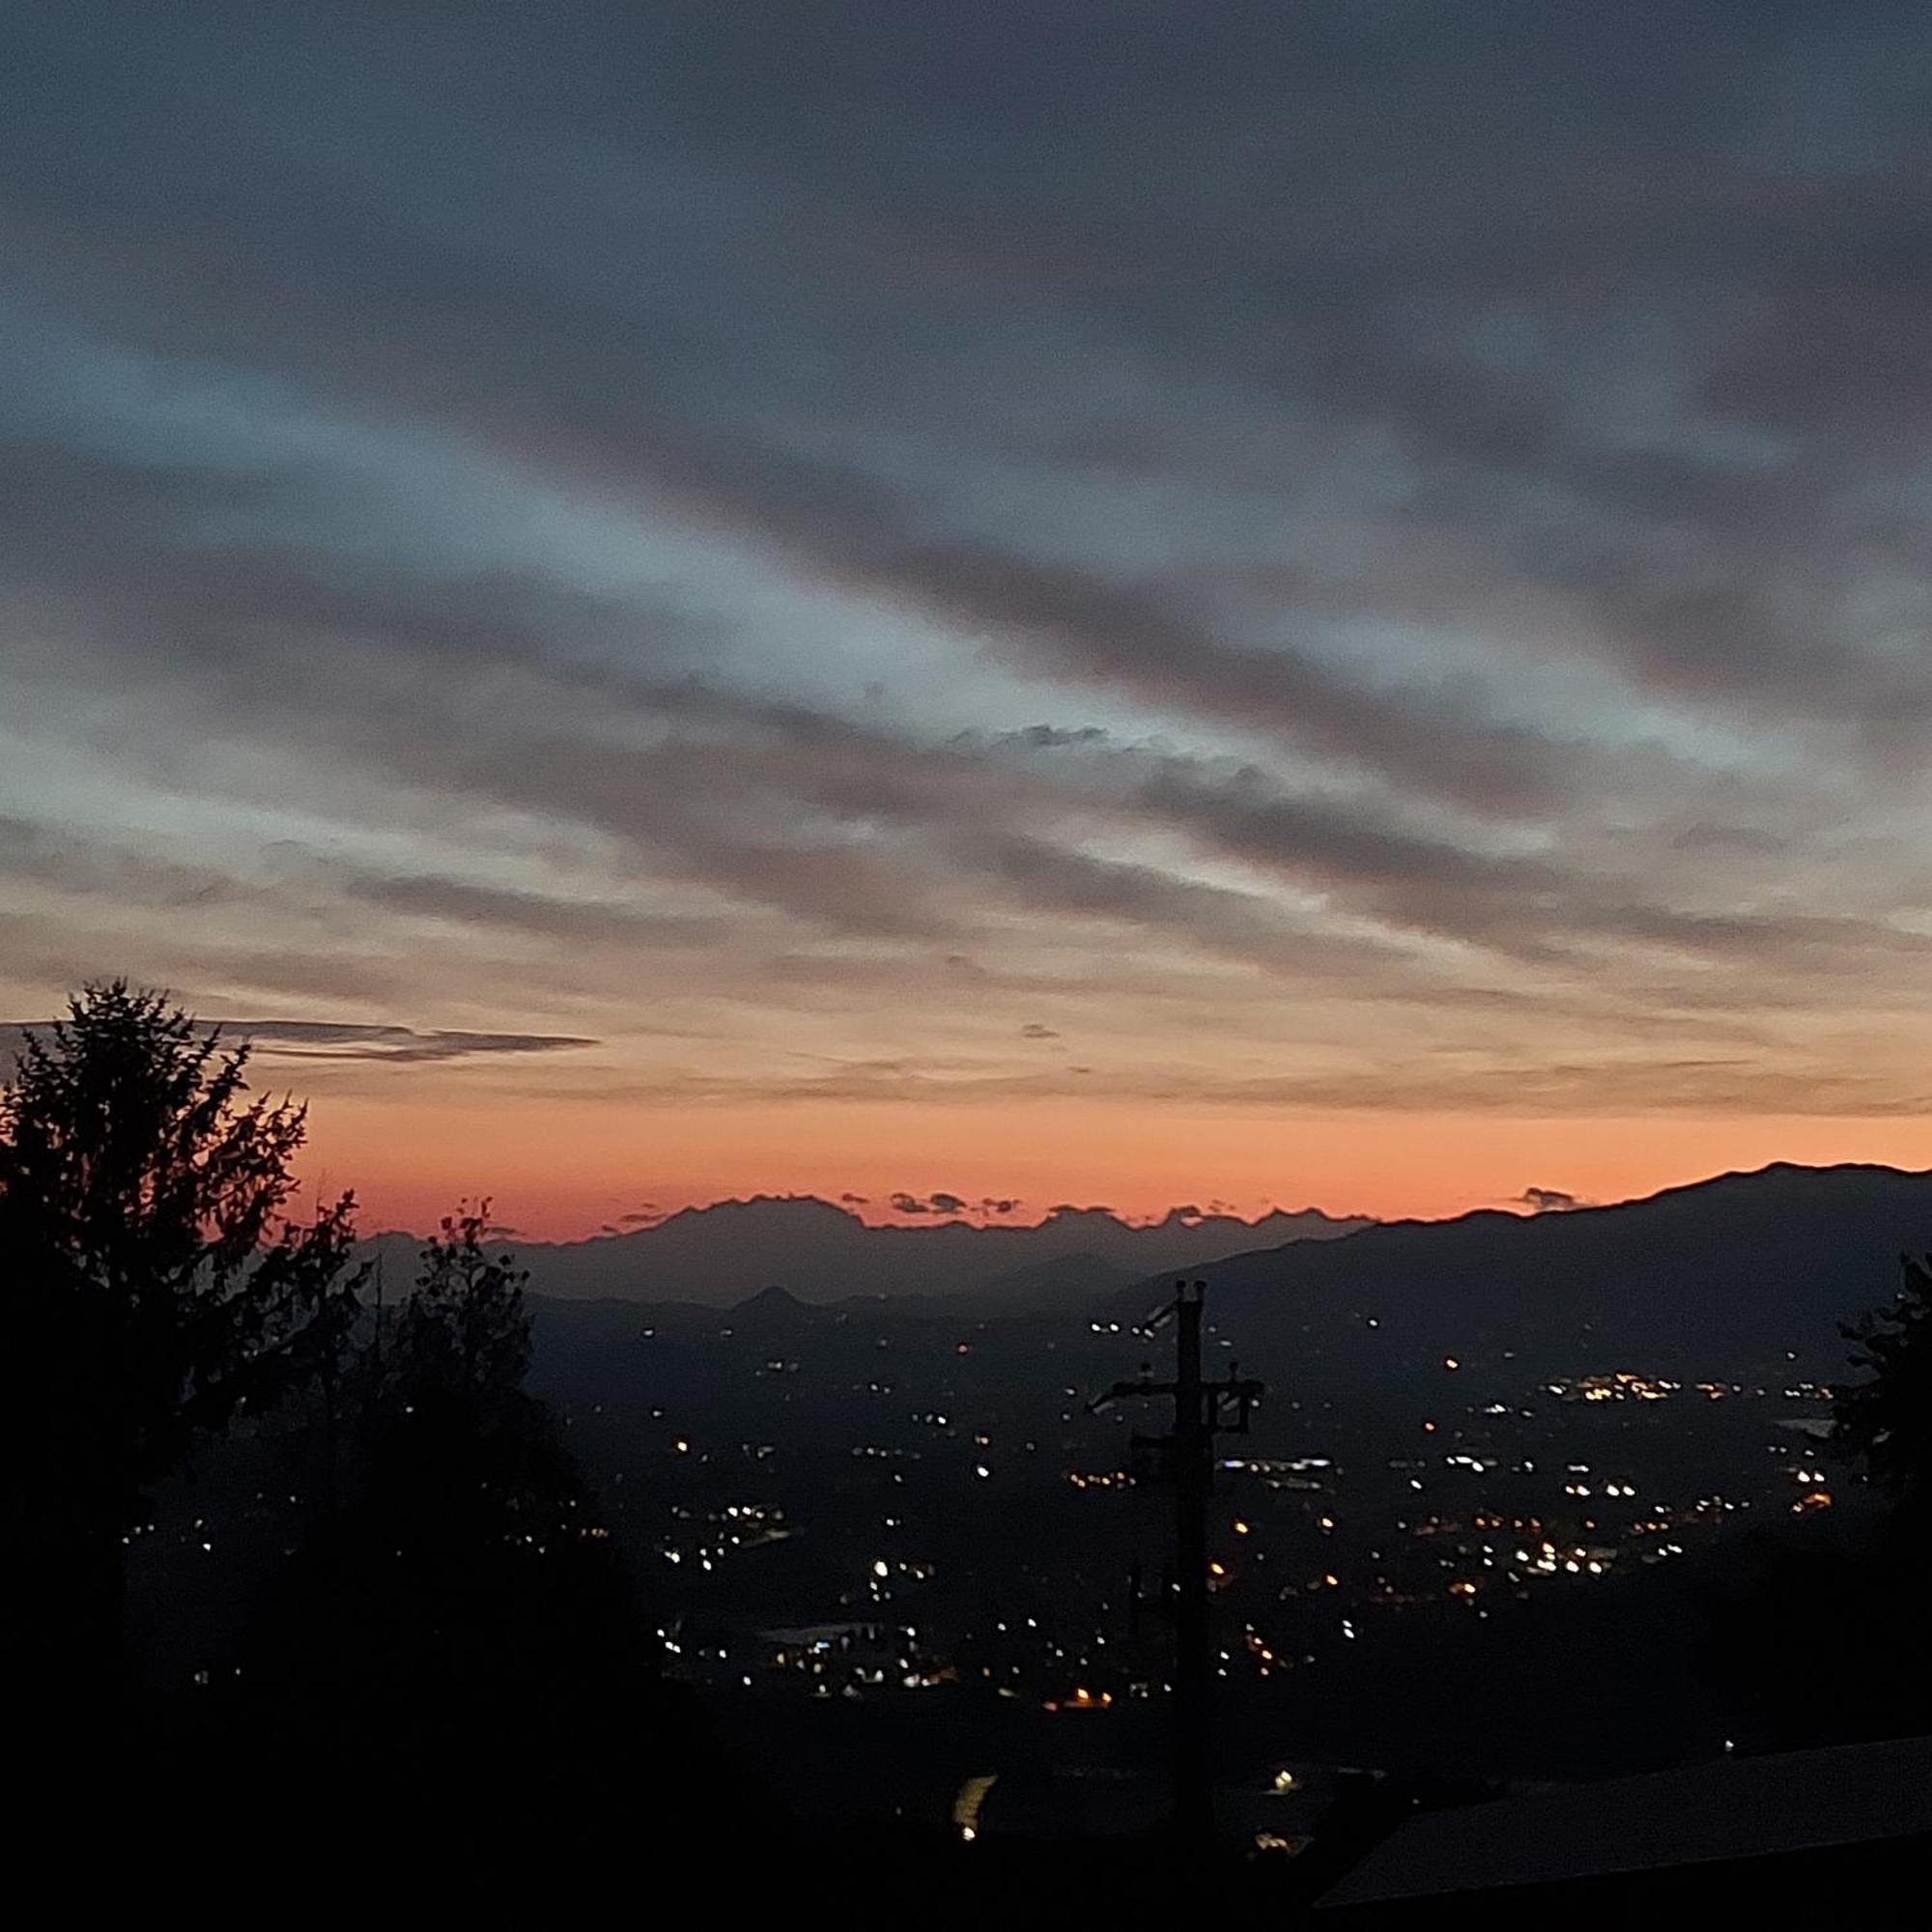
(1203,1411)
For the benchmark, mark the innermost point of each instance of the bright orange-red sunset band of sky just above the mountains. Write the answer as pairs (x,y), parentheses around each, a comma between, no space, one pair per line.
(561,1170)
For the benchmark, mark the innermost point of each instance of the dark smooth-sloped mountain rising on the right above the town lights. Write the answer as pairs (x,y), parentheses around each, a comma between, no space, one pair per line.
(1740,1274)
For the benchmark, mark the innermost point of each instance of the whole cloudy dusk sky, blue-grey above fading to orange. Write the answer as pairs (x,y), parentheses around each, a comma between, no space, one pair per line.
(1125,604)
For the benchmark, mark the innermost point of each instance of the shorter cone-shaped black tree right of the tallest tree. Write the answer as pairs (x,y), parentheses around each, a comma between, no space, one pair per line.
(461,1643)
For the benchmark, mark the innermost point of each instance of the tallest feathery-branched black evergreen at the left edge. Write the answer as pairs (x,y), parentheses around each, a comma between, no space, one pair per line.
(156,1290)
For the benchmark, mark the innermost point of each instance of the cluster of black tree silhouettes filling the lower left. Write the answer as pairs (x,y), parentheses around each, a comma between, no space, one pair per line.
(445,1674)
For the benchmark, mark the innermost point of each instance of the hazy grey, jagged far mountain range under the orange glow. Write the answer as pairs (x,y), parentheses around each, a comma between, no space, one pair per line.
(818,1253)
